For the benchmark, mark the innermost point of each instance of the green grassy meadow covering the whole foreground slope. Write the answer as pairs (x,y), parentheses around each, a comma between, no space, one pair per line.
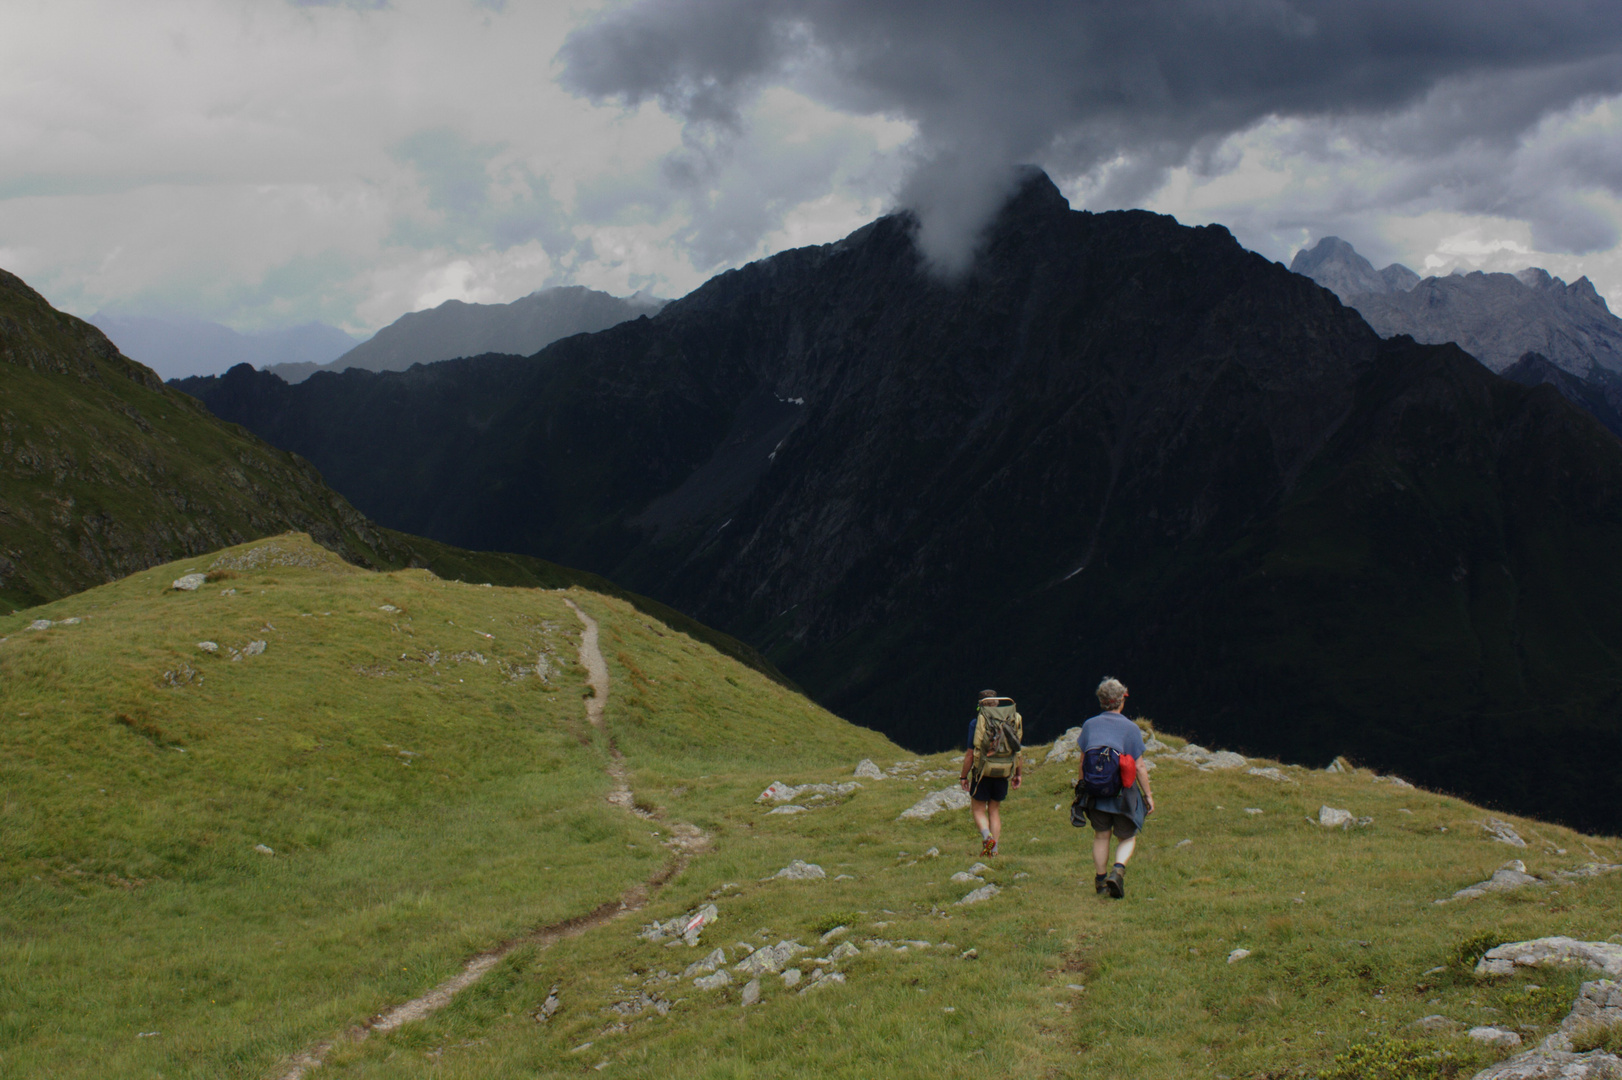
(427,789)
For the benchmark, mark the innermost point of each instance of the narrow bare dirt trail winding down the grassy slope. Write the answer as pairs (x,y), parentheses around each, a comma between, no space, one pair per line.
(685,842)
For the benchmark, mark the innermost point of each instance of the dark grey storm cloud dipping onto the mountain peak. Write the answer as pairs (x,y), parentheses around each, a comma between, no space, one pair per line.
(1125,92)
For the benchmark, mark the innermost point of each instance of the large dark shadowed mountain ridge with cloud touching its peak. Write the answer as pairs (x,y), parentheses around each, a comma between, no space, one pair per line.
(1120,445)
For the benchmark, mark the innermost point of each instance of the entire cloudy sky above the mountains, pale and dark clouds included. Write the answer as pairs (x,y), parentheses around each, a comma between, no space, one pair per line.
(265,163)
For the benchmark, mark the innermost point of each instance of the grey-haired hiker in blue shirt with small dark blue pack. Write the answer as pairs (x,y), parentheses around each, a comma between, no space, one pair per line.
(1110,789)
